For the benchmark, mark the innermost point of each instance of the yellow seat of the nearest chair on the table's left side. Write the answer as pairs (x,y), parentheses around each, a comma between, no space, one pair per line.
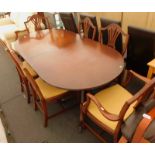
(49,91)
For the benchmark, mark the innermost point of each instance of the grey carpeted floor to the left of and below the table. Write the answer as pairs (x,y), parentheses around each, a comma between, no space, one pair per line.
(24,124)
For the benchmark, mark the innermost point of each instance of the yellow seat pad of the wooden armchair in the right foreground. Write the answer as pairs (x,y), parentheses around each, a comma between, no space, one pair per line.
(108,97)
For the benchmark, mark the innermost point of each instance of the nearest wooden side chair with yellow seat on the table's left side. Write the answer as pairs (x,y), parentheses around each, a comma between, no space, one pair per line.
(43,94)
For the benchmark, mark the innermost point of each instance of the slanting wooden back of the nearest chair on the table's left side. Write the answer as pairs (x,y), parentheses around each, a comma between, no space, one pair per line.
(34,85)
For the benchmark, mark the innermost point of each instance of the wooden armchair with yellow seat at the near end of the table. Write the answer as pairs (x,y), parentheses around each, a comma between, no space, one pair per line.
(110,107)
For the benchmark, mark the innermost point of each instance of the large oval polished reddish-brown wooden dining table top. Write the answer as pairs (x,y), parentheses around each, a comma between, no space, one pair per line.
(63,59)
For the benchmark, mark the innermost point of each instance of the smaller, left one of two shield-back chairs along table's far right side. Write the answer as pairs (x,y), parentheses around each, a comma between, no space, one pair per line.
(89,30)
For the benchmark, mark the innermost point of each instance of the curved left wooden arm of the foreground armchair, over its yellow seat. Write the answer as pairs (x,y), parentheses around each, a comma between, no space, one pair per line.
(102,110)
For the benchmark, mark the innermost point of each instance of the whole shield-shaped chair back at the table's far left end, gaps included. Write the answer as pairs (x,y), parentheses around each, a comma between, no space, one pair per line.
(37,22)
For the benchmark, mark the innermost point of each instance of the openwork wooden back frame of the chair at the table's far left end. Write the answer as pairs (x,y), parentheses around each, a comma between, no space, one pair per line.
(37,20)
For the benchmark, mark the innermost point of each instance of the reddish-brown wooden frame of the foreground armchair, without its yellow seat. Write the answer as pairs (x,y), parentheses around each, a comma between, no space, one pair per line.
(139,97)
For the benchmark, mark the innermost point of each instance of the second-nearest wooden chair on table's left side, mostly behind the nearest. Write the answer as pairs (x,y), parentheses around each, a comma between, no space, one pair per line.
(20,67)
